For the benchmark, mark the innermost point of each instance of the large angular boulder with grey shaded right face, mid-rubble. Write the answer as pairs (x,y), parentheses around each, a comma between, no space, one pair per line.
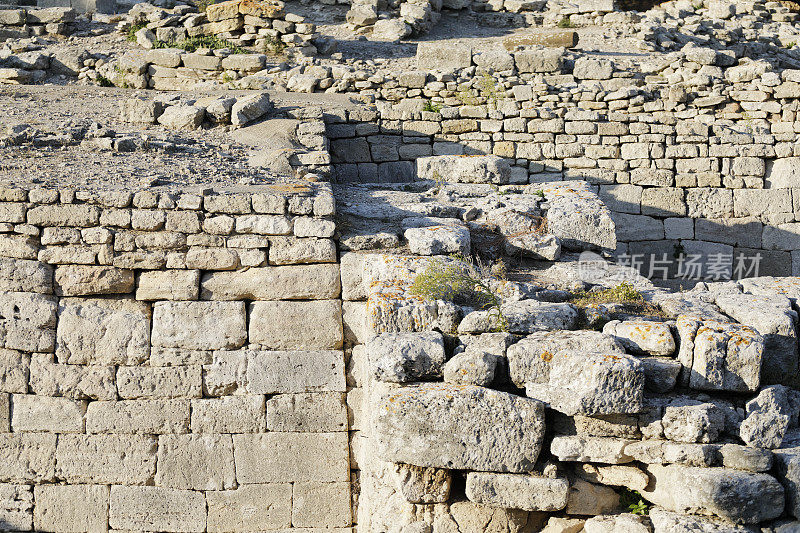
(592,383)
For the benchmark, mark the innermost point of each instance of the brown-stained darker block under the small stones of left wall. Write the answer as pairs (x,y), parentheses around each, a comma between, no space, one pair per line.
(84,280)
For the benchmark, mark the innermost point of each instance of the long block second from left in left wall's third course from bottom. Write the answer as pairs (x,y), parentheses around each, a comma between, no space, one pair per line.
(138,416)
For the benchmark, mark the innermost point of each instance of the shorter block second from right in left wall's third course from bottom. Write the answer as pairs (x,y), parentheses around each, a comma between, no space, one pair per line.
(229,414)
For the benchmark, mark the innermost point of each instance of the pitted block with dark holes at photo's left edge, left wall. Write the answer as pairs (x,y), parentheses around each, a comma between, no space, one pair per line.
(27,322)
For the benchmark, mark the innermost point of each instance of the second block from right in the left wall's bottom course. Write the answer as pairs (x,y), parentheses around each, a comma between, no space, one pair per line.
(250,508)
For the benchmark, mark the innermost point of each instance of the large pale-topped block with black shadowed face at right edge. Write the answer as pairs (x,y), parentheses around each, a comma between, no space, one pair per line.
(775,320)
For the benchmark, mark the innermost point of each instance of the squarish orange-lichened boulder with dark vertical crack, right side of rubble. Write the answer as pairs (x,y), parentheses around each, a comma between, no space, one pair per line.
(719,355)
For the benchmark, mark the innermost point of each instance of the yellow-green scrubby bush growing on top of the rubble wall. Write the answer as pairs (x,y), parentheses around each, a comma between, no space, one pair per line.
(461,280)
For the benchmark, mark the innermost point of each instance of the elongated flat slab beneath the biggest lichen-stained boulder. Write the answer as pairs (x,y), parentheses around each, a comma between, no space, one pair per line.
(517,491)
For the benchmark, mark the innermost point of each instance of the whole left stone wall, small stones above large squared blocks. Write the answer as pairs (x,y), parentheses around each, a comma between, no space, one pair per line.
(172,361)
